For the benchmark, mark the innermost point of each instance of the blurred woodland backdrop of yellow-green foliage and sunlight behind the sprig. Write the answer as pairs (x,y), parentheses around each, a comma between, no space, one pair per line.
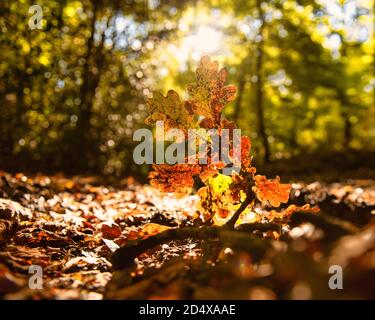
(72,93)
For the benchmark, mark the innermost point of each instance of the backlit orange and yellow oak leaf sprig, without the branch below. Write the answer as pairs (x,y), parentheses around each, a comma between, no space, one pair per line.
(223,198)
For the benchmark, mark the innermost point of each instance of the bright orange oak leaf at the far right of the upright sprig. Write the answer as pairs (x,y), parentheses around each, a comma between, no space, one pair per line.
(271,190)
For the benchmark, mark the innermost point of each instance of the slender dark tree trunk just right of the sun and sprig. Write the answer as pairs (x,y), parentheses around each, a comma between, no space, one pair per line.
(259,86)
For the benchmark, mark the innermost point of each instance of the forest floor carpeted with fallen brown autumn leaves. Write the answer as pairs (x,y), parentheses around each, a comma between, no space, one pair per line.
(71,227)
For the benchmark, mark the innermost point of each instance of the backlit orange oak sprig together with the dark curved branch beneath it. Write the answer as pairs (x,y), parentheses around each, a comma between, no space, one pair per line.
(223,198)
